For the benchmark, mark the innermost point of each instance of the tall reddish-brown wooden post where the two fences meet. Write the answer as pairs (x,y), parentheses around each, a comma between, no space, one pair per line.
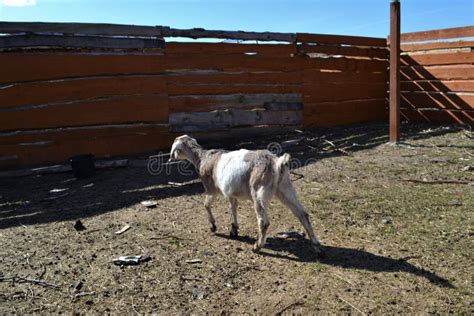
(394,71)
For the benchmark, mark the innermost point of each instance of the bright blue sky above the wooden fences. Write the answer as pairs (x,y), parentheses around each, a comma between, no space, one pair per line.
(351,17)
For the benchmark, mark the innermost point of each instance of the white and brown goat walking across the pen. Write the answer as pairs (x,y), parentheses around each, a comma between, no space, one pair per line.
(257,175)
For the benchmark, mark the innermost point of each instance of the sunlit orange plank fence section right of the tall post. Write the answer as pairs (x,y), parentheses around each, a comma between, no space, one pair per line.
(437,76)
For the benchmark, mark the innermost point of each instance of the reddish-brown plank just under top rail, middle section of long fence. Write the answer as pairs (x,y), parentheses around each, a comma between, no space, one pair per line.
(230,48)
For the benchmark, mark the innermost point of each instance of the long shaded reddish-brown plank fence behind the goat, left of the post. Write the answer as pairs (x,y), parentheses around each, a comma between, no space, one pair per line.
(110,90)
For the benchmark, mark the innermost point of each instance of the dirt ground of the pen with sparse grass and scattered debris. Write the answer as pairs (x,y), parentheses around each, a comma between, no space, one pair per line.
(396,223)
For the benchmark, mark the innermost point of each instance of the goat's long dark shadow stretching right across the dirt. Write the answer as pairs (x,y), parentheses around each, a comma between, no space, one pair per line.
(301,250)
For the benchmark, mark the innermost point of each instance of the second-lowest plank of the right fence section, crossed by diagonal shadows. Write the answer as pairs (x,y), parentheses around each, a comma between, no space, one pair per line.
(454,101)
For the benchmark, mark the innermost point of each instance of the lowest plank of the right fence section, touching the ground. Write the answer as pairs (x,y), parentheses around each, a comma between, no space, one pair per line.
(438,116)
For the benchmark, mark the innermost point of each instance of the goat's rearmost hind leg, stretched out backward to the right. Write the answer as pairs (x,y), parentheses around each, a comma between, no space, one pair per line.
(287,195)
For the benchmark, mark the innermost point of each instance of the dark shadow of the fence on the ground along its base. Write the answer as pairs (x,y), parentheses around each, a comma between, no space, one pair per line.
(28,200)
